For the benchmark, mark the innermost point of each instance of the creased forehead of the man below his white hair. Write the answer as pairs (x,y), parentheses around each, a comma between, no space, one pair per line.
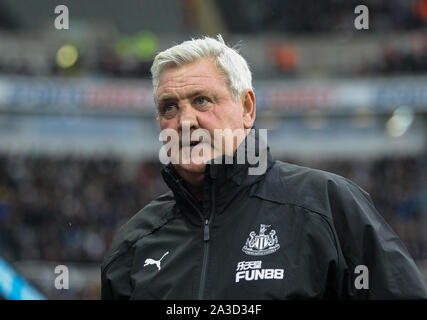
(199,75)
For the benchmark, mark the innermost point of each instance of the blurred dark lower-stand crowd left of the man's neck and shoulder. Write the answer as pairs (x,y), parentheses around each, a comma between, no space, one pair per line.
(69,209)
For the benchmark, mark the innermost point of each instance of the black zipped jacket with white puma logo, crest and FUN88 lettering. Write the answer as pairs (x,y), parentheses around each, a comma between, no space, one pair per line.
(291,233)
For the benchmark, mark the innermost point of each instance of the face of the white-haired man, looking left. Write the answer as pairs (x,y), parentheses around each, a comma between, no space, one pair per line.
(196,95)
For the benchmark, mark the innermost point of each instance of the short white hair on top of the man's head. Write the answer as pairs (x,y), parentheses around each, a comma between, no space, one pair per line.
(230,63)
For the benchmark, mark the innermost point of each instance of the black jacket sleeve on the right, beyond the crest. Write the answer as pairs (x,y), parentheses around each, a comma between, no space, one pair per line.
(374,263)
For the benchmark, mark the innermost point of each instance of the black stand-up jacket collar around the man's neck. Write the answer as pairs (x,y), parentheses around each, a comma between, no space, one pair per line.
(223,180)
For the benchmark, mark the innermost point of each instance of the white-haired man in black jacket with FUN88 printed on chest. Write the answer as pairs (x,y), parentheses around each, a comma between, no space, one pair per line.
(286,232)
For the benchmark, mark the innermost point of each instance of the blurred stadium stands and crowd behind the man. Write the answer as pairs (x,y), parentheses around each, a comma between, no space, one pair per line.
(79,140)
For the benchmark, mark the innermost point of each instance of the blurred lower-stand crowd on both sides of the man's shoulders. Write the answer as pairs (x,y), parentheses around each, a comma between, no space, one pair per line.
(68,209)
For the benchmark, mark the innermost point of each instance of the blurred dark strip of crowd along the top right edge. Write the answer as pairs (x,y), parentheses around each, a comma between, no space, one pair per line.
(308,16)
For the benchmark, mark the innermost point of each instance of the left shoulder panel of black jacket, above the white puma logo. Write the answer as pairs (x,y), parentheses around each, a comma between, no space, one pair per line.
(154,215)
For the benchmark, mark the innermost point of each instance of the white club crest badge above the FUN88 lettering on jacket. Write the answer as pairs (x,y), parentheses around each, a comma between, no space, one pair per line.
(261,244)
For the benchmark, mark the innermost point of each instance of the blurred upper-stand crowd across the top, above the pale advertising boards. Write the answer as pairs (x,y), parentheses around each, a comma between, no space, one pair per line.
(129,55)
